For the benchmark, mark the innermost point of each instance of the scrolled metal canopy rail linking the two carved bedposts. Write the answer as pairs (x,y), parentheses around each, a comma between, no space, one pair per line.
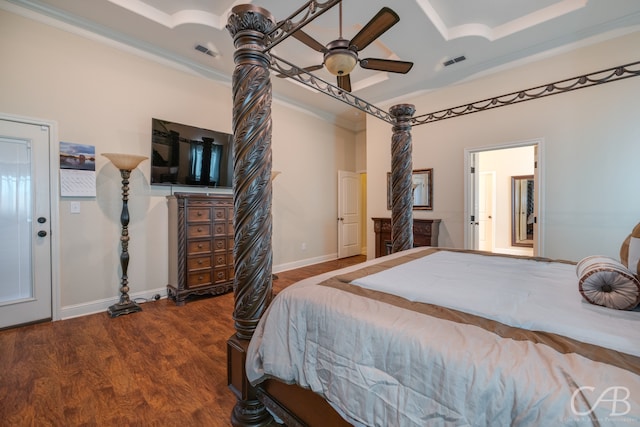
(294,72)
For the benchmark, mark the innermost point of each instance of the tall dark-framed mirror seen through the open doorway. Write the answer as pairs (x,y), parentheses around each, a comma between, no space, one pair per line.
(522,211)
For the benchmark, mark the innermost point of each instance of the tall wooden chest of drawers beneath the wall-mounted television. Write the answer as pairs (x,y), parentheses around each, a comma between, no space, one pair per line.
(200,245)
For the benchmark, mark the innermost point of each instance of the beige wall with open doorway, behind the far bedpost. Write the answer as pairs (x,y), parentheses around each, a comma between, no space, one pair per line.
(590,148)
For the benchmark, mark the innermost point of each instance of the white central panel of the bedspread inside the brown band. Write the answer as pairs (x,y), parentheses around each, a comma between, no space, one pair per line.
(529,294)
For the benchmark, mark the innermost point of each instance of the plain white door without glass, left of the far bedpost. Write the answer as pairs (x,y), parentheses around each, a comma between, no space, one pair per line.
(348,214)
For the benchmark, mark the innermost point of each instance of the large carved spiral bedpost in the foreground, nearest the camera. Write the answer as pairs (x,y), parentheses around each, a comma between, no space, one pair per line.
(252,199)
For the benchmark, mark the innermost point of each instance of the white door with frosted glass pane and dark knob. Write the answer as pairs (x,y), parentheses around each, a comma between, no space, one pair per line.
(25,218)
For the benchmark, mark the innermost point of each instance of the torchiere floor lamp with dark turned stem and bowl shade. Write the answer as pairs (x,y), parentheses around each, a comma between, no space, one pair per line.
(126,163)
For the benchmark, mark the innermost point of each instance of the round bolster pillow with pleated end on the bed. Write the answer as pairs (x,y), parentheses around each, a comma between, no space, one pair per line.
(605,281)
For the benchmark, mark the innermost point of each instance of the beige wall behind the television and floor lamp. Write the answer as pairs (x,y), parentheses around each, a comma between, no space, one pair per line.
(106,97)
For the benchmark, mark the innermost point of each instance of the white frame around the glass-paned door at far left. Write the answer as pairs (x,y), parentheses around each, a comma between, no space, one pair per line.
(54,185)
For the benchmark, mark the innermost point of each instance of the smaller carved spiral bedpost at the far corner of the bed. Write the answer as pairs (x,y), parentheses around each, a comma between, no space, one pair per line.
(401,179)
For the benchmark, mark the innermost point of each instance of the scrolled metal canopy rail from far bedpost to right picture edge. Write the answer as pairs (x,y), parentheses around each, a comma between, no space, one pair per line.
(599,77)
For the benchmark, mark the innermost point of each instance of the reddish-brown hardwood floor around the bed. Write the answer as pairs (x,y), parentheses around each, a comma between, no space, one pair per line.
(164,366)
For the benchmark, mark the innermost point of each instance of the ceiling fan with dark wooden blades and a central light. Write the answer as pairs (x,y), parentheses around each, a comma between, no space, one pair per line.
(341,55)
